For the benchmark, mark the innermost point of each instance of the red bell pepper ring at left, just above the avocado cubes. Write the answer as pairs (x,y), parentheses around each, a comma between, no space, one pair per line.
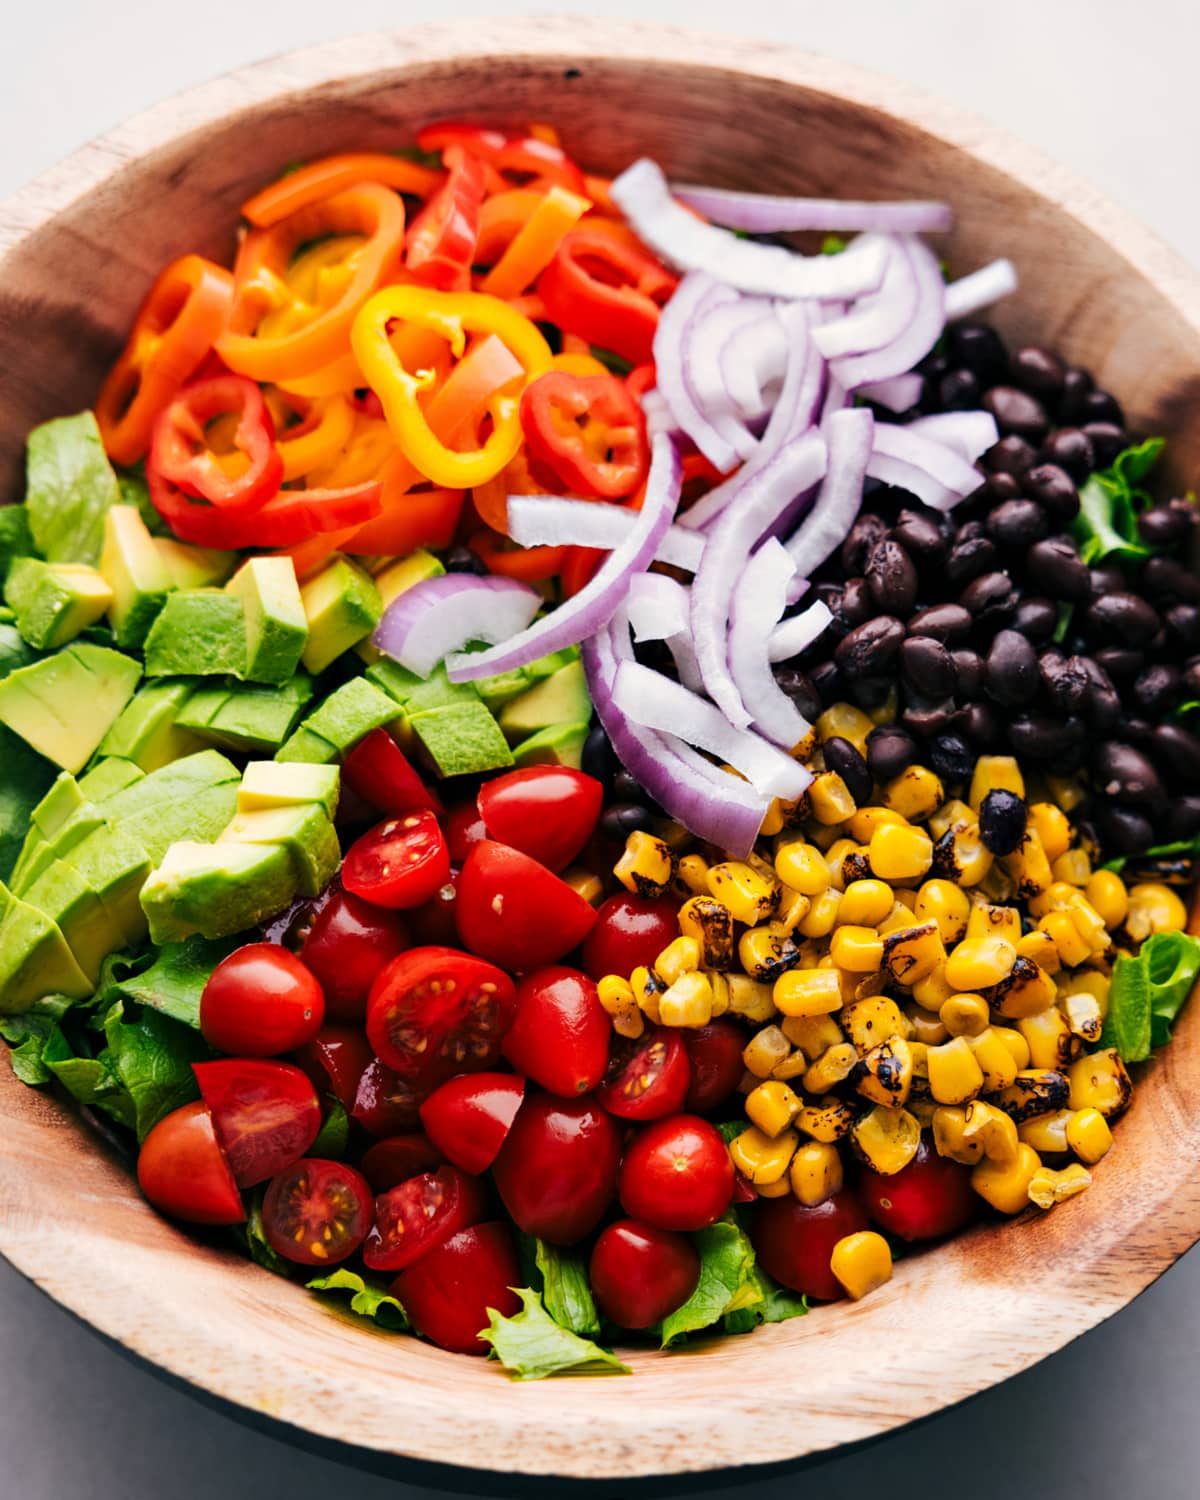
(181,454)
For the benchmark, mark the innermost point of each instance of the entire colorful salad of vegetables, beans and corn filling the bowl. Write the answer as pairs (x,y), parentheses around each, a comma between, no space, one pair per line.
(590,760)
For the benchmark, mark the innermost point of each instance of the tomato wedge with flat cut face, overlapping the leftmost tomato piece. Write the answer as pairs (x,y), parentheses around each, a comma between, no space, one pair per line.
(266,1114)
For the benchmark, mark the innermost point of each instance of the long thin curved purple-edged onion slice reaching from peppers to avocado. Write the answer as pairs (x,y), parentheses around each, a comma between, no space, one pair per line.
(596,604)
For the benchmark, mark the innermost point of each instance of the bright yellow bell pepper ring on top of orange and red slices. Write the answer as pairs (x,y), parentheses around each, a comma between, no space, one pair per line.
(452,317)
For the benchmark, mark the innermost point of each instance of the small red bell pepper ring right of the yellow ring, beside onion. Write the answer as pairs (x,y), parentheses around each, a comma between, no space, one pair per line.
(589,430)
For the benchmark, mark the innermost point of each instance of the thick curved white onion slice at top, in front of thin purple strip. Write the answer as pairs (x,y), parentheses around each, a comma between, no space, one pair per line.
(679,236)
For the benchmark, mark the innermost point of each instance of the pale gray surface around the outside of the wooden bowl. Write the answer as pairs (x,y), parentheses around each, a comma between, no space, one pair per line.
(1105,86)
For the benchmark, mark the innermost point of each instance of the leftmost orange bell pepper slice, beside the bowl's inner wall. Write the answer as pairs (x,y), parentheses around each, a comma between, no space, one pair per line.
(185,313)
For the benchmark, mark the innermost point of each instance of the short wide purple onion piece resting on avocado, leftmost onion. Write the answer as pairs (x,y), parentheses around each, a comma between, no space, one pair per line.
(443,614)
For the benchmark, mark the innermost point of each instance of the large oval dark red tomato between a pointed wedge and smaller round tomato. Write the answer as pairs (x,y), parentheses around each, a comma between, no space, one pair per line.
(557,1171)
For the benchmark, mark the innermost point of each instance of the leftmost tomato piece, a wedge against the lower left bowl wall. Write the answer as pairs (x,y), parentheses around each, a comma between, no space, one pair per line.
(184,1171)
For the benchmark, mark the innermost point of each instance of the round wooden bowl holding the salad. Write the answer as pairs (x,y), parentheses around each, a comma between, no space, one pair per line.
(80,247)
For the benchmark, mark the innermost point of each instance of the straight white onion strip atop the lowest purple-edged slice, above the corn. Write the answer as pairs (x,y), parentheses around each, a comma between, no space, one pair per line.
(658,703)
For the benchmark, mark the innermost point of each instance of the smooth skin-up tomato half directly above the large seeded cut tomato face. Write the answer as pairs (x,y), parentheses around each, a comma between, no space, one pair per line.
(515,913)
